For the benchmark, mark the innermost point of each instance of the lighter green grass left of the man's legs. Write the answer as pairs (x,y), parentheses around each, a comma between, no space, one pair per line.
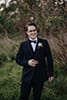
(10,81)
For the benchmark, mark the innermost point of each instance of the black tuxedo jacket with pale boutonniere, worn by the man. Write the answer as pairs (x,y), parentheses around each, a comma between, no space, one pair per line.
(43,69)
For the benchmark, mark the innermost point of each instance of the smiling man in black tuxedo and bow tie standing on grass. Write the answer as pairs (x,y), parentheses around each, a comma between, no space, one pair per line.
(35,56)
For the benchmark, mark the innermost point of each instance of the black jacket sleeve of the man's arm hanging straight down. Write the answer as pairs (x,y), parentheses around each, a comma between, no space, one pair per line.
(49,60)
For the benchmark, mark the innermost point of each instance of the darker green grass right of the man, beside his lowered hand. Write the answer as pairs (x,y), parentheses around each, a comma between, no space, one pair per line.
(57,89)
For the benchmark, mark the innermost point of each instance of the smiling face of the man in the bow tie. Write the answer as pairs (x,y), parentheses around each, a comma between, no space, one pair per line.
(32,32)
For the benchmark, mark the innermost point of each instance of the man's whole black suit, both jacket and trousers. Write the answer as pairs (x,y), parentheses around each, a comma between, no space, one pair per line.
(34,77)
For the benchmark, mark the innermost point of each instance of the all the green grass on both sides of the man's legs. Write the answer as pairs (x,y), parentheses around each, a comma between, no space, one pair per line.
(10,76)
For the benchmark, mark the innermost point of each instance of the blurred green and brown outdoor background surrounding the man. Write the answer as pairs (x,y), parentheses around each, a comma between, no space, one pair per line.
(51,18)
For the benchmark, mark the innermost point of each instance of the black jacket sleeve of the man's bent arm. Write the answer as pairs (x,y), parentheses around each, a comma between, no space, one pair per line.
(20,59)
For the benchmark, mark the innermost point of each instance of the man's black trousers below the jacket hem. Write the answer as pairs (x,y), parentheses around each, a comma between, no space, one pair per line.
(37,90)
